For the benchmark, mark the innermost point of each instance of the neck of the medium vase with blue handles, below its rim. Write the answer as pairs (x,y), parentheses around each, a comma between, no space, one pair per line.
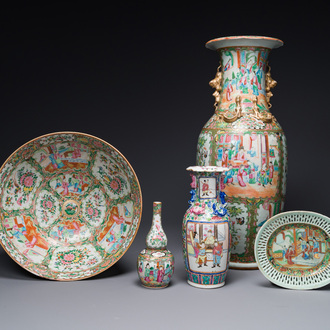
(207,185)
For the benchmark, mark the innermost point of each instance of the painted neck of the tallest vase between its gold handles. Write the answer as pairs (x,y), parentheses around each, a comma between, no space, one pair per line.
(243,78)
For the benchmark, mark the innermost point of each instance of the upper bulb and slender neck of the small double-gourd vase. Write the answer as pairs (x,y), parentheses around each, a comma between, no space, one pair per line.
(156,238)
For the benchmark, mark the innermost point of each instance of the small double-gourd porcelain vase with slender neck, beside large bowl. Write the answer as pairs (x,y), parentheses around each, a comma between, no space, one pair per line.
(155,263)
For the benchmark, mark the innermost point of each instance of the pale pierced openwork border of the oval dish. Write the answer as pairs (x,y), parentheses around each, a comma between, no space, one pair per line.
(260,250)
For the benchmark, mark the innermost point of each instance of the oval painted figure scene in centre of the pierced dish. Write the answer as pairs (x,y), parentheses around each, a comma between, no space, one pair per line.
(299,247)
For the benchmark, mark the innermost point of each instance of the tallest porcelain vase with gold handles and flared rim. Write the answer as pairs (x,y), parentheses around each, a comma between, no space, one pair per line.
(244,136)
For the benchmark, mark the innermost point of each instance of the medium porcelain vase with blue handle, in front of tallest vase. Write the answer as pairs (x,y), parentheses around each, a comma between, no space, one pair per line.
(206,230)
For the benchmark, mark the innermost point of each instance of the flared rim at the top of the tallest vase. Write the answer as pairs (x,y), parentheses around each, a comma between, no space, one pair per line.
(236,41)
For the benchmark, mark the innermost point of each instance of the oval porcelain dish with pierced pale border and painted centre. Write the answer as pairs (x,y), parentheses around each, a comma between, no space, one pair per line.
(292,250)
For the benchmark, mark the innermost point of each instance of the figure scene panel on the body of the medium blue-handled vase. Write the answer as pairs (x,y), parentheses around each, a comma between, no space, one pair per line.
(207,247)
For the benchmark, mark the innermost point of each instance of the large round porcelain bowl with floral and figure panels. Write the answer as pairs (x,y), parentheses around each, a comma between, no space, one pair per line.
(70,206)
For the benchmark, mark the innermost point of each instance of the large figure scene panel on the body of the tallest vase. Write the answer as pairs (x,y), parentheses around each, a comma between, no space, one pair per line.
(253,162)
